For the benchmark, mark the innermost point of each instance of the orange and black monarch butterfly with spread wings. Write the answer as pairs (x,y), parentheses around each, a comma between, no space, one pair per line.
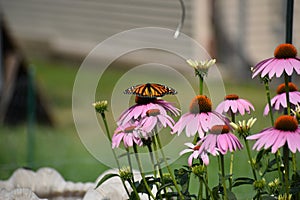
(151,90)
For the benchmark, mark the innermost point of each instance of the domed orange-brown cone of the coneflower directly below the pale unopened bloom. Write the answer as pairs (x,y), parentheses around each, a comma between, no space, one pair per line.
(200,104)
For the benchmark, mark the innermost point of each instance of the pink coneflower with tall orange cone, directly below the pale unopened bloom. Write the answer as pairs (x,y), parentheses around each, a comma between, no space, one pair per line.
(199,119)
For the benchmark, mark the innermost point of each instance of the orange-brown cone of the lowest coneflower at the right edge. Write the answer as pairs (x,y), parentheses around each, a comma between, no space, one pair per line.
(286,123)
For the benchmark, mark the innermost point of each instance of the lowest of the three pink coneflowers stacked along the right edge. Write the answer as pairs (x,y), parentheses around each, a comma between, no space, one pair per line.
(285,130)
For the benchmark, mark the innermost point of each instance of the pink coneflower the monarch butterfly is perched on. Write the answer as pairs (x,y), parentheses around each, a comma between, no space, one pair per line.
(143,104)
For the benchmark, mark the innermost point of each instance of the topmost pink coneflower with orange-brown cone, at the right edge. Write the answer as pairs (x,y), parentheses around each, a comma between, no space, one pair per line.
(284,60)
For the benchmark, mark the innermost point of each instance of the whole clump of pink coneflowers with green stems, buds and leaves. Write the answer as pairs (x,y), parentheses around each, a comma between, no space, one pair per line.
(215,134)
